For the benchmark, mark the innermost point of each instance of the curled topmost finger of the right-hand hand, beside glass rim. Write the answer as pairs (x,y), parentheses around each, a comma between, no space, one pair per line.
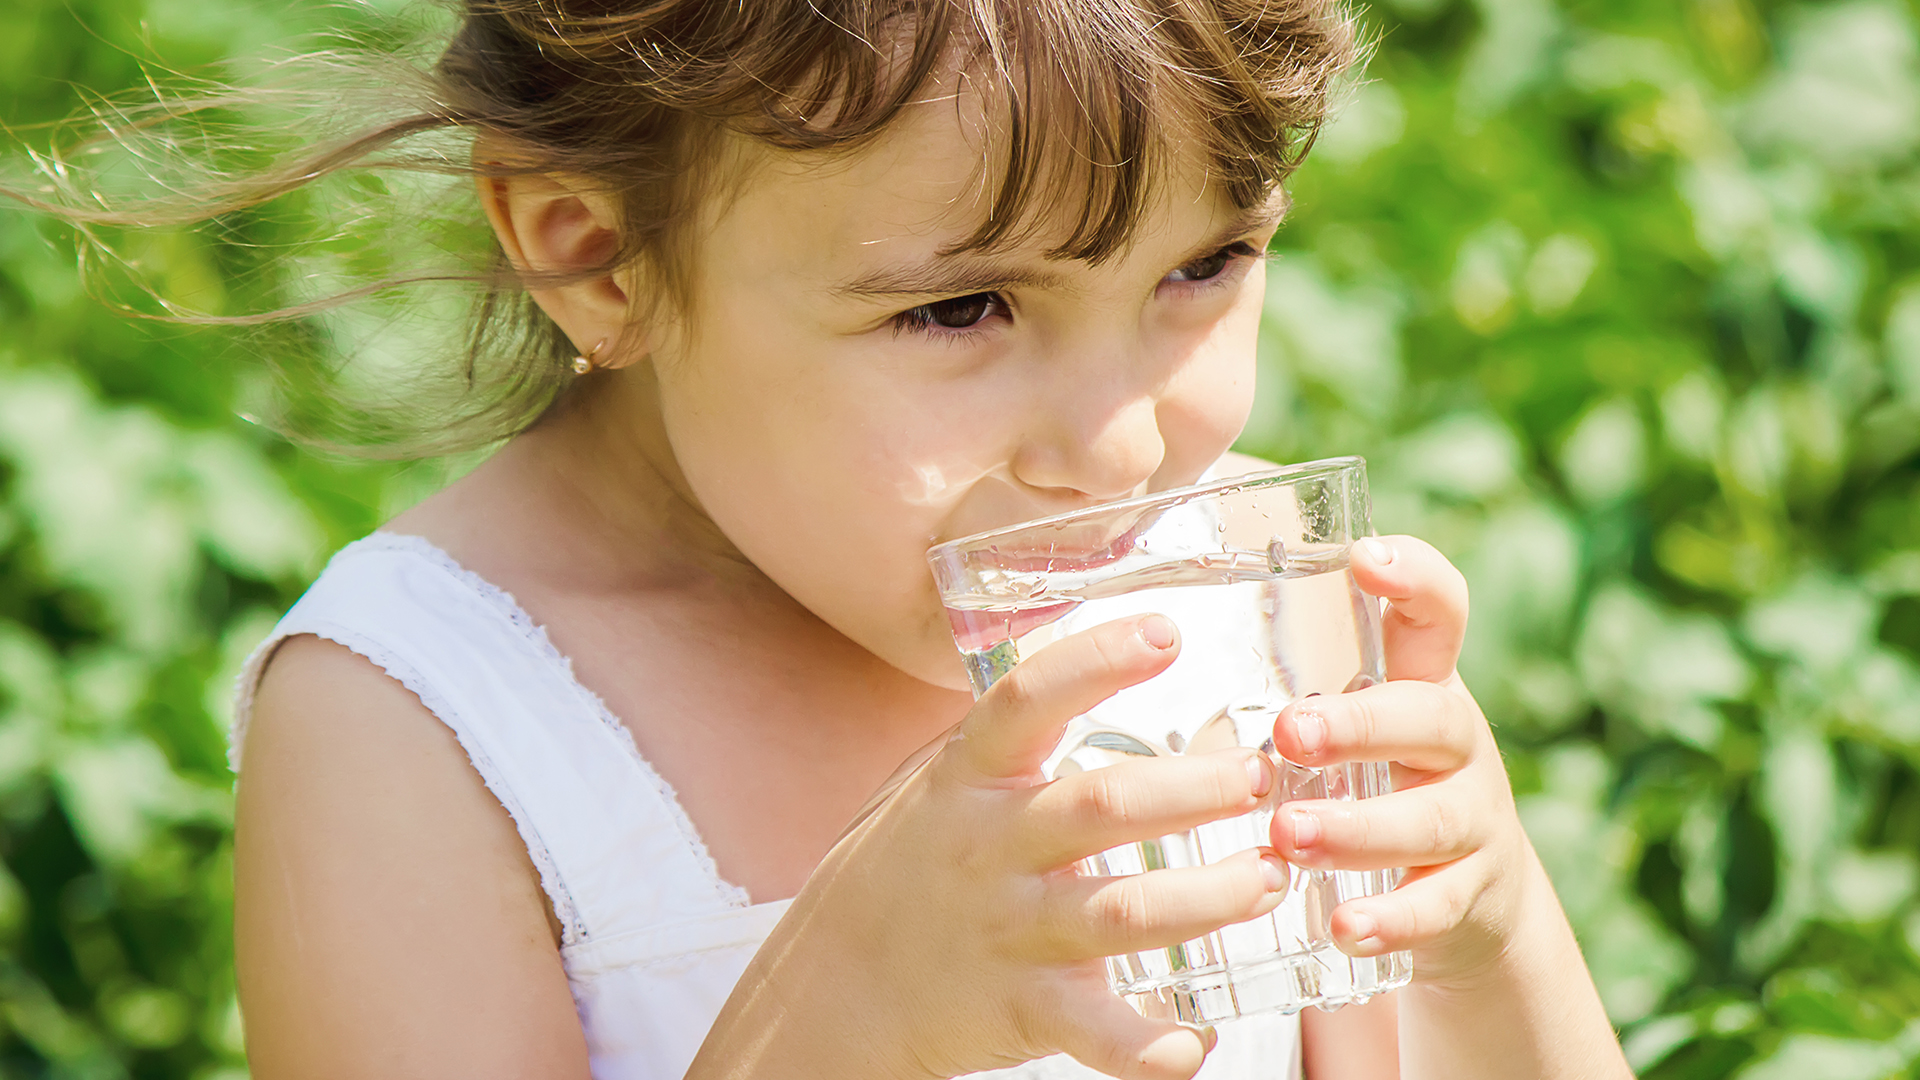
(1428,604)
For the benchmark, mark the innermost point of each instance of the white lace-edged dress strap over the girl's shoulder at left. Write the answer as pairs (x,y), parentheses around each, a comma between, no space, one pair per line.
(613,847)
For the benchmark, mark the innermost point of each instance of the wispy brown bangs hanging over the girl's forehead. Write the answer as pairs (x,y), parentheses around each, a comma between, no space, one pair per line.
(1101,103)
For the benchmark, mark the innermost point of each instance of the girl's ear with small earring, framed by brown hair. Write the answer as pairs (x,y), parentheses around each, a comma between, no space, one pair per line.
(554,228)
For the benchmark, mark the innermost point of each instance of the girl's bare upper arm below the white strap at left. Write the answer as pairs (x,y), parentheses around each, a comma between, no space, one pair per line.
(387,918)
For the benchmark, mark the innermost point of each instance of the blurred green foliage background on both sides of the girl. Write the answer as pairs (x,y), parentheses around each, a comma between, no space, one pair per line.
(1620,299)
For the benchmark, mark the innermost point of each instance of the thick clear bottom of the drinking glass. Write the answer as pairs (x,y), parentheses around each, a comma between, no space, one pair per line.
(1285,985)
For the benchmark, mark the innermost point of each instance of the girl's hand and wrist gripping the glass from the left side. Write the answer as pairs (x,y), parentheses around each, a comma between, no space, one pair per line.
(949,933)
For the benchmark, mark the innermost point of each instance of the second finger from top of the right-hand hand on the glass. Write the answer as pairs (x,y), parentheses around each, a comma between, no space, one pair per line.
(1420,725)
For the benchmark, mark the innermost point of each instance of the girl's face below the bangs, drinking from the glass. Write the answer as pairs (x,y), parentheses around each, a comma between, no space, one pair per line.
(842,395)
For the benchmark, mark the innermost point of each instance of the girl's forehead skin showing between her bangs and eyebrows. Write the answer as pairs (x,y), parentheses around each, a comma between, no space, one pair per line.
(923,189)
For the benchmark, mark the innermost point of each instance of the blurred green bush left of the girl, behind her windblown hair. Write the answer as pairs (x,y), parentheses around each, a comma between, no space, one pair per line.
(149,539)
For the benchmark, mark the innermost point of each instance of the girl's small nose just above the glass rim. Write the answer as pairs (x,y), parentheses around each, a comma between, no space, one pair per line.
(1095,433)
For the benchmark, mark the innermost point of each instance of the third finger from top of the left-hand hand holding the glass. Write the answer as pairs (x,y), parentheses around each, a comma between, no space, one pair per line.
(1105,918)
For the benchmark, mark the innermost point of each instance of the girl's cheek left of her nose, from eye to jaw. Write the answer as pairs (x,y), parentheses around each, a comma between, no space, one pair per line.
(834,487)
